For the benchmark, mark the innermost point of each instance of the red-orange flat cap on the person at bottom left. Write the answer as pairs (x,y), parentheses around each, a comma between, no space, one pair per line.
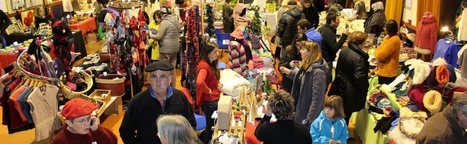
(77,108)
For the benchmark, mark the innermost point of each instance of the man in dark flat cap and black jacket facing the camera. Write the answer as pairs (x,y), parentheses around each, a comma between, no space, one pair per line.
(139,123)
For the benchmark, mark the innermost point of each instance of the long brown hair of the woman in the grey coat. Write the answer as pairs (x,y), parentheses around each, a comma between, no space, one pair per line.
(315,55)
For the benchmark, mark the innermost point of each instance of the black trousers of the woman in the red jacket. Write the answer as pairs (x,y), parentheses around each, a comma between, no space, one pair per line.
(208,109)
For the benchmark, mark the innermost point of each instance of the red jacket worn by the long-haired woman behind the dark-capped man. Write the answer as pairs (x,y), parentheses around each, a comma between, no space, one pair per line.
(206,80)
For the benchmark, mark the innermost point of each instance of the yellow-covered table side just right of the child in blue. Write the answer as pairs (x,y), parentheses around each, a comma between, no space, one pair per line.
(364,123)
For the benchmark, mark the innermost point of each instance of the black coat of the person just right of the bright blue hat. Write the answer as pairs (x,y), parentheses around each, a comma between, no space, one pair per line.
(329,44)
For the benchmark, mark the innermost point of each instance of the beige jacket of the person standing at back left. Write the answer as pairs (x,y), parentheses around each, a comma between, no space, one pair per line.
(168,35)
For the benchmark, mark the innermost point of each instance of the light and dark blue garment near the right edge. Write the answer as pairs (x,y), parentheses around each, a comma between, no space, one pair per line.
(447,49)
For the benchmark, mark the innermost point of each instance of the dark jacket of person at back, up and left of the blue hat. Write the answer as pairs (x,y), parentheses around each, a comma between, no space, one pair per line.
(287,28)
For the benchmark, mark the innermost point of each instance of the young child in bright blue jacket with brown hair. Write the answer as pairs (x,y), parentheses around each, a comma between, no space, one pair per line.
(330,126)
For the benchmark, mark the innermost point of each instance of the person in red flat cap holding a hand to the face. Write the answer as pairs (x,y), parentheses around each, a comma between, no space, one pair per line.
(81,127)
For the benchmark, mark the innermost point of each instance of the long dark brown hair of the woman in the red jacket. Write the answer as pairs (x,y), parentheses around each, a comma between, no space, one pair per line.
(204,51)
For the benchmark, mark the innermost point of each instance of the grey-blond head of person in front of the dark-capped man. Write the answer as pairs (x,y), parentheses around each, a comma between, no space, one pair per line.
(175,129)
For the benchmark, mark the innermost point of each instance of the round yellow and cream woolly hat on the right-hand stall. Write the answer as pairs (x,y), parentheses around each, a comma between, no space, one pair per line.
(432,101)
